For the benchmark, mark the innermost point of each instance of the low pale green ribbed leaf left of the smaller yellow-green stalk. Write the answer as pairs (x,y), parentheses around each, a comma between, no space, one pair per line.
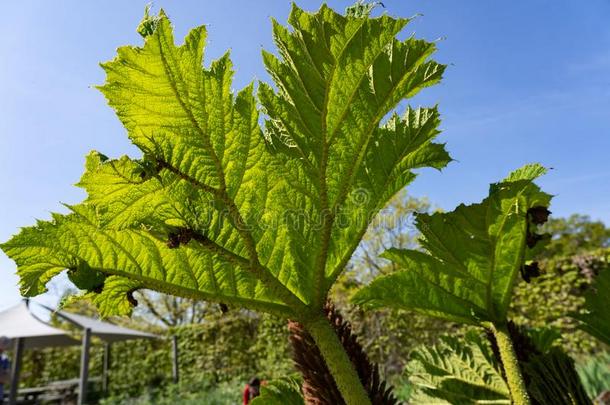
(457,372)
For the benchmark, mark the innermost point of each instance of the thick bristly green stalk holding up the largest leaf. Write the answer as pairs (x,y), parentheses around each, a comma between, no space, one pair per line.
(338,362)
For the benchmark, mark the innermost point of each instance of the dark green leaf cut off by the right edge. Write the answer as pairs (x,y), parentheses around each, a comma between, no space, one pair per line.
(596,319)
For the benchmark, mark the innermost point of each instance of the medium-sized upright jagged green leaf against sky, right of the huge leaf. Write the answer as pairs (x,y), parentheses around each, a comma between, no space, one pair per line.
(474,255)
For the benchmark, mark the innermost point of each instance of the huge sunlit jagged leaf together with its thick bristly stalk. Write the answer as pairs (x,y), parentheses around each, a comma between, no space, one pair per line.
(218,210)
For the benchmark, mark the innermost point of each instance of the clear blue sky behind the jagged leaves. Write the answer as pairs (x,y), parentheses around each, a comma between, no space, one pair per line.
(528,81)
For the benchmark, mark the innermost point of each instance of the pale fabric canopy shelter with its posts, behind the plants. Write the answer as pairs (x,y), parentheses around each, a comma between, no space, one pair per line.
(26,331)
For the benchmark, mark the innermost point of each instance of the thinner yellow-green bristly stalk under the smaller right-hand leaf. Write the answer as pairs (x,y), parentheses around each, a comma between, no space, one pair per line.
(514,378)
